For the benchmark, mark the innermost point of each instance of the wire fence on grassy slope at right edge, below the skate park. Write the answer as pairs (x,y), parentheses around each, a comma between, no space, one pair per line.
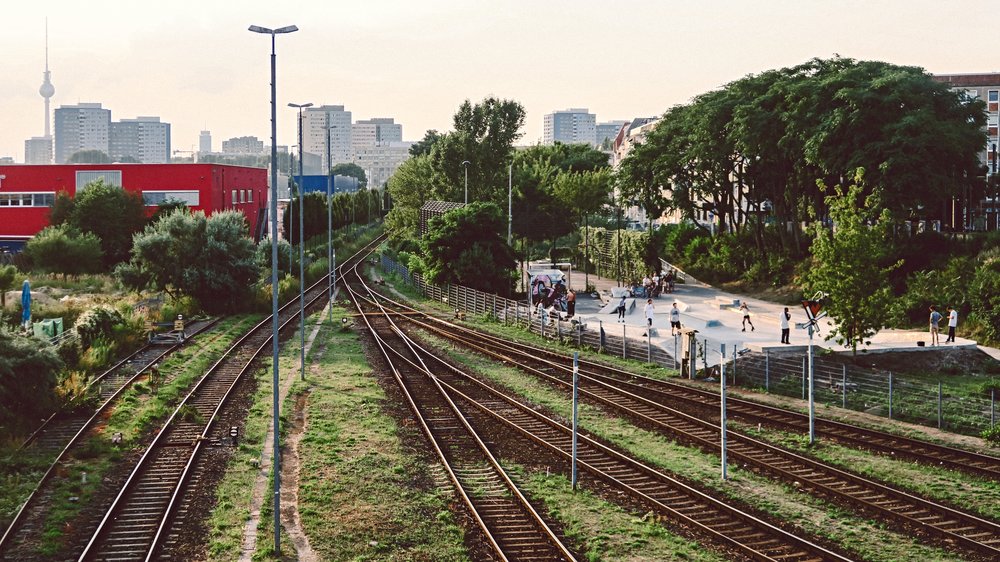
(872,391)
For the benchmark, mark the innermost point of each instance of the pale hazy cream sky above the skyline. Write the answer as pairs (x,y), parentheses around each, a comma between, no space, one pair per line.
(195,65)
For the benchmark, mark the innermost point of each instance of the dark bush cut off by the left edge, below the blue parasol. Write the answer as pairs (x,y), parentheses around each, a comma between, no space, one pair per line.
(28,369)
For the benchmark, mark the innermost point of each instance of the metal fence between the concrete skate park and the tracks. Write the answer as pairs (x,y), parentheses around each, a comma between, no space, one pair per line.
(617,340)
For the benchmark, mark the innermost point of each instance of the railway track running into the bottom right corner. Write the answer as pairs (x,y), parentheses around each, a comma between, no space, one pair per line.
(648,405)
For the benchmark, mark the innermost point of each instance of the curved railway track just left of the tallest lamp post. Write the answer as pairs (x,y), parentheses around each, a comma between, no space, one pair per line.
(150,511)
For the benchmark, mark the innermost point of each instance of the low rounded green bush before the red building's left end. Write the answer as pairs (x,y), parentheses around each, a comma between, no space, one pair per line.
(63,249)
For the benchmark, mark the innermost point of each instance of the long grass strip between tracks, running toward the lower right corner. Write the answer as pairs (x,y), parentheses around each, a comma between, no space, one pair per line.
(868,539)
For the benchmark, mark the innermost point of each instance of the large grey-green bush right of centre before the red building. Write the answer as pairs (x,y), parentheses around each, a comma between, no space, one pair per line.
(210,259)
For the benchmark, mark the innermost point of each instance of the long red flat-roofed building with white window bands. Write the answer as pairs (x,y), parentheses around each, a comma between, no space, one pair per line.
(27,192)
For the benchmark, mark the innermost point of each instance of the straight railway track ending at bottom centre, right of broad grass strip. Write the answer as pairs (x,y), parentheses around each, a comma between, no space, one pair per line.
(511,528)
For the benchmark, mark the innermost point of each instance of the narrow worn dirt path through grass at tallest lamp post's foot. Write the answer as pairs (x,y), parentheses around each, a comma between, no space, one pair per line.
(261,490)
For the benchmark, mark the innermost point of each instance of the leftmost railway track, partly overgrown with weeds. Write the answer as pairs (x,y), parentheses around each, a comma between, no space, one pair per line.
(63,431)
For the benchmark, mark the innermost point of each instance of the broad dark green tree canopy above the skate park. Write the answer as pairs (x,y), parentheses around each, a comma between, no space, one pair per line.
(750,152)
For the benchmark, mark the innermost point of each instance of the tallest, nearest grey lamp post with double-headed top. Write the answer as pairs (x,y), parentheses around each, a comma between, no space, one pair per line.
(276,453)
